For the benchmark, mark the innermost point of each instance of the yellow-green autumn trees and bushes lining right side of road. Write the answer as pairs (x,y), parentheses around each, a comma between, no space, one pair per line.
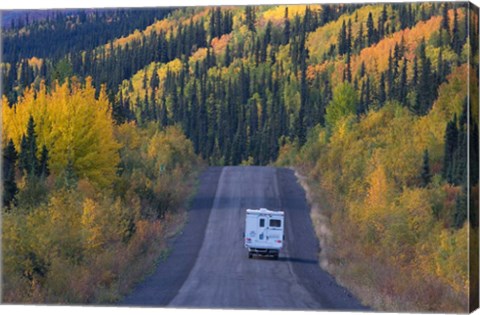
(389,196)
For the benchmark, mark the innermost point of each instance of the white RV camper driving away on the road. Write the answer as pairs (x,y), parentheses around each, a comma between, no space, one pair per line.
(264,232)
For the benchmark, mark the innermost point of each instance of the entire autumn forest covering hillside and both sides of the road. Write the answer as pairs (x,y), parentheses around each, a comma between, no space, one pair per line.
(112,122)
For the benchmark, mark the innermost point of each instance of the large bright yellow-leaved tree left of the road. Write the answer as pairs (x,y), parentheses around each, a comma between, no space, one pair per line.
(74,125)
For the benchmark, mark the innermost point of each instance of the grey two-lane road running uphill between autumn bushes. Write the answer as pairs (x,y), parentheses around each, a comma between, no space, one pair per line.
(209,267)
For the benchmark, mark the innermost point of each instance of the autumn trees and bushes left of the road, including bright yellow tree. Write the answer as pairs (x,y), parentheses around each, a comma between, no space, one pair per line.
(90,212)
